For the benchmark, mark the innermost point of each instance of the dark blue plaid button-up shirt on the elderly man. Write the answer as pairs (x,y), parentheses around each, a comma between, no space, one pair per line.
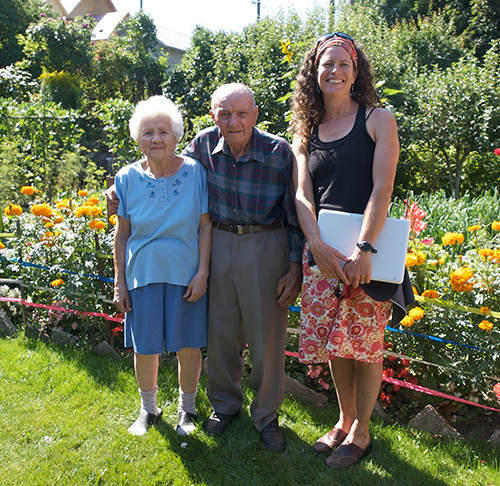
(255,189)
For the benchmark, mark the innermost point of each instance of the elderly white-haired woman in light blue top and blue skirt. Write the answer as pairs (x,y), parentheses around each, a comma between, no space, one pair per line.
(162,253)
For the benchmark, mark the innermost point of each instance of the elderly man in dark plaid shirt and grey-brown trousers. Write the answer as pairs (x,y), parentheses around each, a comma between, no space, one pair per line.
(255,269)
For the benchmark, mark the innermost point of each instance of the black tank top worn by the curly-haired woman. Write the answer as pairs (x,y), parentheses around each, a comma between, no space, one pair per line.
(341,170)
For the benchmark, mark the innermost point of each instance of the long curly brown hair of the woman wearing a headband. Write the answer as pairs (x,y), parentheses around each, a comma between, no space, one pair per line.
(307,102)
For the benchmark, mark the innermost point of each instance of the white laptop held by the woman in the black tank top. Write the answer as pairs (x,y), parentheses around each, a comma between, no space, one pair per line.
(341,231)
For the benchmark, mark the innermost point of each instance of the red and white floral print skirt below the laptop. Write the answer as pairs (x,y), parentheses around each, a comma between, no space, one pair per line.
(339,321)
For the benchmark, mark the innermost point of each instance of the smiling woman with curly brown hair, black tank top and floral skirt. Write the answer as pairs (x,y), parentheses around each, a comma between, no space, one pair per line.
(346,148)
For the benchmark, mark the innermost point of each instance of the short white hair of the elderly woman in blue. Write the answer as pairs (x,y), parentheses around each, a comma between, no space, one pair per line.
(153,106)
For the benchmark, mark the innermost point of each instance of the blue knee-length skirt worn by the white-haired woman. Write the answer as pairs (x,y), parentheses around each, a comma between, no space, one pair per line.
(162,320)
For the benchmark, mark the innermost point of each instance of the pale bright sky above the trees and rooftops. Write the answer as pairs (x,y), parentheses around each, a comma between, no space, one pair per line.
(229,15)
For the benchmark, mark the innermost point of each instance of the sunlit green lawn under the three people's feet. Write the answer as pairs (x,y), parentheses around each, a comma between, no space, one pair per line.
(64,416)
